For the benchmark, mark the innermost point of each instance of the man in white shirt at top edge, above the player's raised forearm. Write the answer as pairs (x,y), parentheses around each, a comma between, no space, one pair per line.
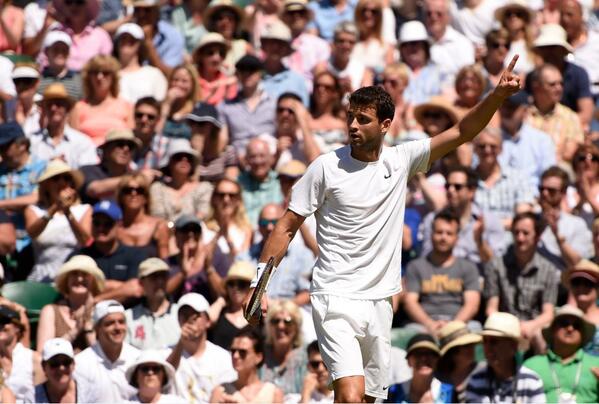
(450,50)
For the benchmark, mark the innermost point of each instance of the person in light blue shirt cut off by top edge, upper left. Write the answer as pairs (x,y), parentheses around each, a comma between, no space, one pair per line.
(164,44)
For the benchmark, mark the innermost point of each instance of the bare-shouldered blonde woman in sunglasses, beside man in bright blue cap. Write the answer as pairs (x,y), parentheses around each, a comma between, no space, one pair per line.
(139,228)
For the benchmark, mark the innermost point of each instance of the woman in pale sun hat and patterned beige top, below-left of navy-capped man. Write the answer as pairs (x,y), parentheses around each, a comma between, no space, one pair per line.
(179,192)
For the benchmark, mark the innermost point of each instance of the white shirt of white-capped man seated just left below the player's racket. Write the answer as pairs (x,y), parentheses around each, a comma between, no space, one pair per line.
(197,377)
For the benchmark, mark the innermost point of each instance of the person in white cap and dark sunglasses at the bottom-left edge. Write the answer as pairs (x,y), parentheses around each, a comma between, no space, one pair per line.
(61,385)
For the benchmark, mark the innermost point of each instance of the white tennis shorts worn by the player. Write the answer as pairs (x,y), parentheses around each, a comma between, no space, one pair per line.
(354,337)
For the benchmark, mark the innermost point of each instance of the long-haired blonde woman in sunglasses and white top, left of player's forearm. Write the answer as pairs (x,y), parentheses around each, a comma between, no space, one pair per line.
(229,230)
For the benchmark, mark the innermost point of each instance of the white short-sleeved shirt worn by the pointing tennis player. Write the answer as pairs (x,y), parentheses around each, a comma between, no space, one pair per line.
(359,209)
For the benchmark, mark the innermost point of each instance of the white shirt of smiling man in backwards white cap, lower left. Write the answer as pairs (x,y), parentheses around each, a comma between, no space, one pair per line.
(92,365)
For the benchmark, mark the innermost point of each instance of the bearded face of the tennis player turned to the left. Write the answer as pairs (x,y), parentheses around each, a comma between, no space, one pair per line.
(365,130)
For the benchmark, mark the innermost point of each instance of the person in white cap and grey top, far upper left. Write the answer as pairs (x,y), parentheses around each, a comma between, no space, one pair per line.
(56,48)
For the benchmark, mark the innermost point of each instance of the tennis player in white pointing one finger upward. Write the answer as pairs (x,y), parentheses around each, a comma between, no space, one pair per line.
(357,194)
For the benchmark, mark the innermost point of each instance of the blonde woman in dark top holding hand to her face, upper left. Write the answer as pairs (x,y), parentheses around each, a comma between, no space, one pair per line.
(182,94)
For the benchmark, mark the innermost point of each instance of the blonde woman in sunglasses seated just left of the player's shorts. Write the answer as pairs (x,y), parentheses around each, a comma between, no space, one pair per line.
(284,355)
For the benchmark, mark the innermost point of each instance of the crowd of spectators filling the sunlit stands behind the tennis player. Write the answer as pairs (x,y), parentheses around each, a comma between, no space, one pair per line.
(148,148)
